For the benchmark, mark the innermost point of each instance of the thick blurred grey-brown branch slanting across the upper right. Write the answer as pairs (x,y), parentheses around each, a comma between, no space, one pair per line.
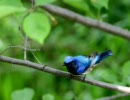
(88,21)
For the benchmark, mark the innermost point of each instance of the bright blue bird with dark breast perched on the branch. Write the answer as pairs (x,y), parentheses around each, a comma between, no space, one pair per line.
(78,65)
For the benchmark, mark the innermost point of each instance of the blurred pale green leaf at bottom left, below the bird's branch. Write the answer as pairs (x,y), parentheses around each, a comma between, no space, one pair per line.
(25,94)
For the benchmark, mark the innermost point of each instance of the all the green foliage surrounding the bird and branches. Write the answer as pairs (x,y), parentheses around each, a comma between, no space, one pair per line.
(57,37)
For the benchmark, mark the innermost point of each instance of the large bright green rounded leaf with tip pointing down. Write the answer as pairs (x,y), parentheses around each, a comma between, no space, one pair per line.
(37,26)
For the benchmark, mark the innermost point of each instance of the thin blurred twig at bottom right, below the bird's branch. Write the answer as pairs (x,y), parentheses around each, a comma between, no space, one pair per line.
(114,97)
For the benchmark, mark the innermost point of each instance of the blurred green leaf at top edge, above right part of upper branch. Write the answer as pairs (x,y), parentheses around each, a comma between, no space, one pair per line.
(100,3)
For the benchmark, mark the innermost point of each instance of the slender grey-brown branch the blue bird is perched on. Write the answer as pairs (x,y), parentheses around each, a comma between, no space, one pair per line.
(64,74)
